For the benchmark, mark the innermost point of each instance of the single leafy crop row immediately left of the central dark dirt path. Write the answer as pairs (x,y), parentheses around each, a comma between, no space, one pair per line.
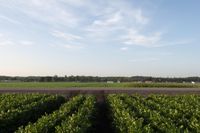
(81,121)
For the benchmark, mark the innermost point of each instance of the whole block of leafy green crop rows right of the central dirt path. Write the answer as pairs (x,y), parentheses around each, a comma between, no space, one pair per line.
(155,113)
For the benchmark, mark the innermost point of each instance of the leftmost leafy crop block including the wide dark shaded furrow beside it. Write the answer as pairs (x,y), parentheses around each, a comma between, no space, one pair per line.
(35,105)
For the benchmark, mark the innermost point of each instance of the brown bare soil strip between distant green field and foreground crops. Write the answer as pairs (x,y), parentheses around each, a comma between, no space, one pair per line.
(75,91)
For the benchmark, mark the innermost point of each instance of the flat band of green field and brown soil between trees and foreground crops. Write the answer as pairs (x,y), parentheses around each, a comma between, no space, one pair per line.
(74,88)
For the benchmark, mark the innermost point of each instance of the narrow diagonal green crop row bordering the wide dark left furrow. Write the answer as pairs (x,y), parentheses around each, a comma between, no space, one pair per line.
(47,122)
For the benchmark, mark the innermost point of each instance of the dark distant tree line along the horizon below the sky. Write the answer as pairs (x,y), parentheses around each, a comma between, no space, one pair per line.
(95,79)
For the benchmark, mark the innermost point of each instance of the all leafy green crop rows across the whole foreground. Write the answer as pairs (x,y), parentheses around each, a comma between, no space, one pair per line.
(42,113)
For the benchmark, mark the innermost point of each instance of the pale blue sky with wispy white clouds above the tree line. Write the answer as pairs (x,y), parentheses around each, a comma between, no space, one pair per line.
(100,37)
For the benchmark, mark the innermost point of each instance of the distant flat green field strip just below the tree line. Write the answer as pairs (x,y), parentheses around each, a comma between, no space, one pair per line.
(95,84)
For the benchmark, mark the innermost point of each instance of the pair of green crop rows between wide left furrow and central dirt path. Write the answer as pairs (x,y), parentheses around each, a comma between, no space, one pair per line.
(73,116)
